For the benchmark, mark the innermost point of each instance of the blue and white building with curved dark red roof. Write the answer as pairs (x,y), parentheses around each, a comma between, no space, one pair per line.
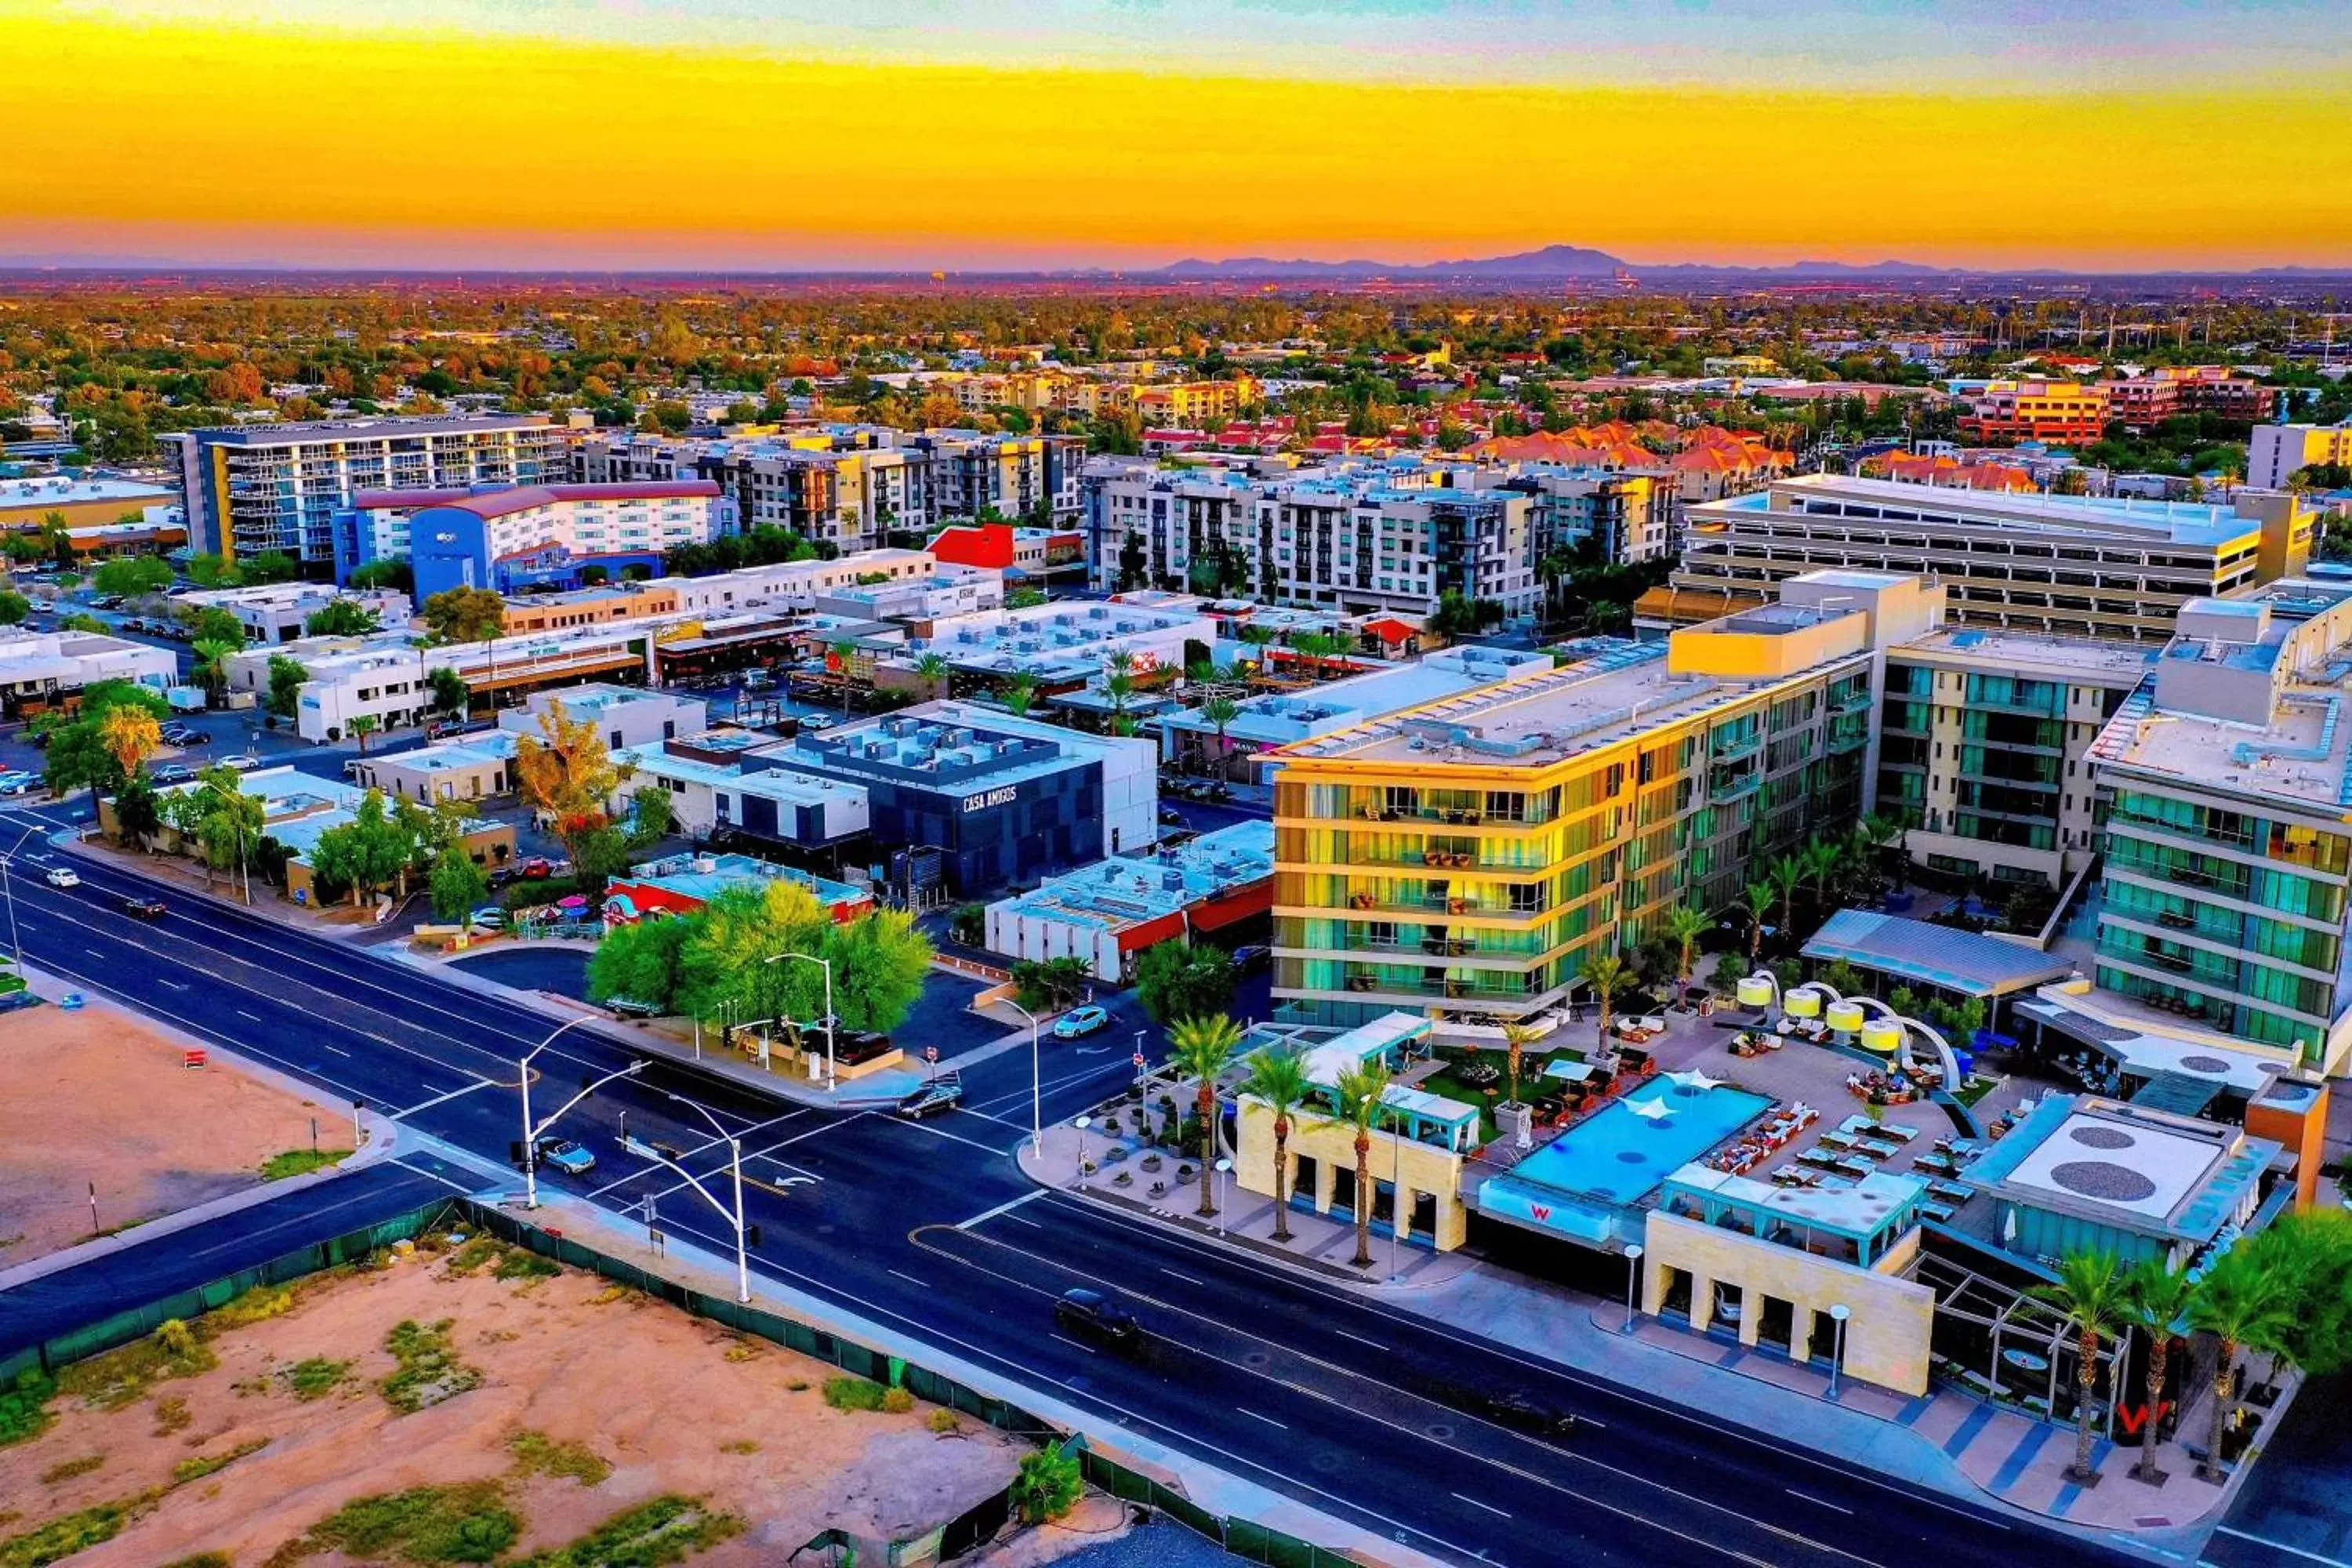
(526,535)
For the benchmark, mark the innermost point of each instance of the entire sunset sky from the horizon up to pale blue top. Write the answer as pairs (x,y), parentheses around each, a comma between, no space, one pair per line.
(789,135)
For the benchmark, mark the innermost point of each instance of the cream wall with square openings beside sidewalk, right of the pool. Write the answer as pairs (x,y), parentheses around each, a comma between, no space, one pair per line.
(1887,1339)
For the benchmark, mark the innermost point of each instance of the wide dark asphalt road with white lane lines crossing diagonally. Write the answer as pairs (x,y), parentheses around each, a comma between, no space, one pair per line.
(930,1228)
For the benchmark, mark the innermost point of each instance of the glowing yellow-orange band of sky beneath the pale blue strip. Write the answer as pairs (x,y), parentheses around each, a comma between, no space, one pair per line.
(187,140)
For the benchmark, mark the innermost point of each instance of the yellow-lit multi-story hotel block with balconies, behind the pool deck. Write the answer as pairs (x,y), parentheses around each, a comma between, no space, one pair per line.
(1469,857)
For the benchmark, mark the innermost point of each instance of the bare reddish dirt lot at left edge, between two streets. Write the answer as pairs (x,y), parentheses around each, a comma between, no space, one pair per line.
(100,1097)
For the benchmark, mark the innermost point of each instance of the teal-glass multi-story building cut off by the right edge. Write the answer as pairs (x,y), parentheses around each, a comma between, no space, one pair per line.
(2229,852)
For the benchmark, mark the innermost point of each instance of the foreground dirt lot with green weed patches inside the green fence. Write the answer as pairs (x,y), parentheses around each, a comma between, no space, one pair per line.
(544,1409)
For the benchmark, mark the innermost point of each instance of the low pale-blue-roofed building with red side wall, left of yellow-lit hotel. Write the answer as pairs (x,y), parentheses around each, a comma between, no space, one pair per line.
(1111,911)
